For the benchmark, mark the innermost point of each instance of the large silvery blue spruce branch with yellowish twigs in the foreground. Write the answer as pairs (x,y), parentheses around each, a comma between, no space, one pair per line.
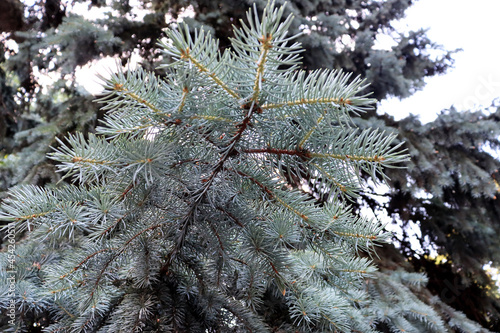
(181,216)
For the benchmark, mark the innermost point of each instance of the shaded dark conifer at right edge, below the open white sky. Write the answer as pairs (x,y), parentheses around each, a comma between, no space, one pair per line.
(450,191)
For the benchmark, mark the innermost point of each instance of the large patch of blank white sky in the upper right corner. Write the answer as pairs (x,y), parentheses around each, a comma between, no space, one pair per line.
(473,26)
